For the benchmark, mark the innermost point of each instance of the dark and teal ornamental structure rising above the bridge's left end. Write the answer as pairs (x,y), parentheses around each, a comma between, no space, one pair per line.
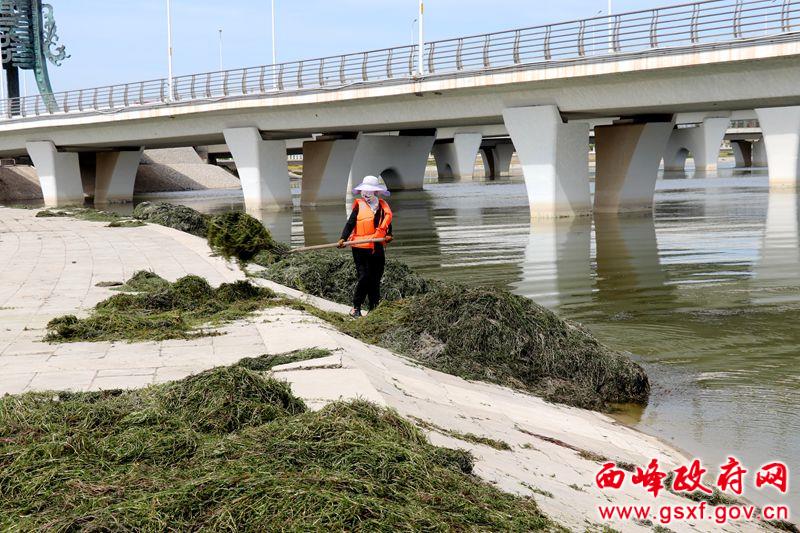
(28,40)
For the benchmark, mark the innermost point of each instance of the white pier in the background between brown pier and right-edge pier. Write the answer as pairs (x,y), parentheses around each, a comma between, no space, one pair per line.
(703,141)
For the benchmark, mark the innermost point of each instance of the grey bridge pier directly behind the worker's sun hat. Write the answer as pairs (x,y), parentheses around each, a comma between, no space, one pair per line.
(399,159)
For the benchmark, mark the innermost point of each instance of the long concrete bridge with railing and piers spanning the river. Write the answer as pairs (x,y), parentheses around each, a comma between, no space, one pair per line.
(637,79)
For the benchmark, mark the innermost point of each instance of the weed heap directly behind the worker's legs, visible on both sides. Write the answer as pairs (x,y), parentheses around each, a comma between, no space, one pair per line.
(330,274)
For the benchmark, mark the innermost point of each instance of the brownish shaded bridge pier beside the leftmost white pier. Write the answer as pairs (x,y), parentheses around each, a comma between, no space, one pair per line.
(115,175)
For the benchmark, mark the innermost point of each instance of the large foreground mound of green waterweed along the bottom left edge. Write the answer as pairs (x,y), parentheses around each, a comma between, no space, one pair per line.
(228,449)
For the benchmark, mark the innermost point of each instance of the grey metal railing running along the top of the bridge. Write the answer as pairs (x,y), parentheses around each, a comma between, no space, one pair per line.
(700,24)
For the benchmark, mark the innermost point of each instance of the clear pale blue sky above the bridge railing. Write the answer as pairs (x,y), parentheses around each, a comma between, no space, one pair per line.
(117,41)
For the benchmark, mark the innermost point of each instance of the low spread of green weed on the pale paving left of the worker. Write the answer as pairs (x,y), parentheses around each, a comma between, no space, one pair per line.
(161,310)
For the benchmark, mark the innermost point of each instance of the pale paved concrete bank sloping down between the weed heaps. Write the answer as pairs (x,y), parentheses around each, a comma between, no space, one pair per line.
(50,266)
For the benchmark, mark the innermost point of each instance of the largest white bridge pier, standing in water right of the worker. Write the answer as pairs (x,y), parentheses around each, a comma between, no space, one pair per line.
(554,158)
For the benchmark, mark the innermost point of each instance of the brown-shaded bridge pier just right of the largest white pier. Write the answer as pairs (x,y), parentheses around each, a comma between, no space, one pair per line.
(628,156)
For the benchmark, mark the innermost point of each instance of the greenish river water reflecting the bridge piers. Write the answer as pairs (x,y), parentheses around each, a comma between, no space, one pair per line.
(705,293)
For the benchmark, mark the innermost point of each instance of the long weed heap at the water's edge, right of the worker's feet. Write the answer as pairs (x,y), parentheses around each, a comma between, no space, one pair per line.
(488,334)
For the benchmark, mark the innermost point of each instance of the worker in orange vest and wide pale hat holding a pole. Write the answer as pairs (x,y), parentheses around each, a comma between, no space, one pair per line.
(371,218)
